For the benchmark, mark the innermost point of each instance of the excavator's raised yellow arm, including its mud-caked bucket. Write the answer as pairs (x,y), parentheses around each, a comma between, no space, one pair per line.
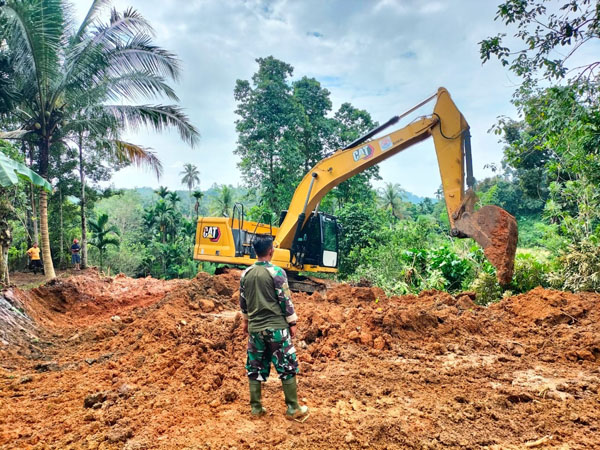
(492,227)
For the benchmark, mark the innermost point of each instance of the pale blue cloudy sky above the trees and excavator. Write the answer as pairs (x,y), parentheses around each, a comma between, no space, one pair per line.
(383,56)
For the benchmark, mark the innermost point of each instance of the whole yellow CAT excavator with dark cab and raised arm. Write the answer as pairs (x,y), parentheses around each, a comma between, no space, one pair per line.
(307,239)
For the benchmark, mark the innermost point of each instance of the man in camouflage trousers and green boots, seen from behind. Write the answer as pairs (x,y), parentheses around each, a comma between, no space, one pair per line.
(270,321)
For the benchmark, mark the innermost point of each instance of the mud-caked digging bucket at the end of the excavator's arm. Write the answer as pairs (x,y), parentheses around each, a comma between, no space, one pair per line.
(495,230)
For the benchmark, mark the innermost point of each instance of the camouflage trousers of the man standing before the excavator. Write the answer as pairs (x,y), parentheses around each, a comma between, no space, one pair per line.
(271,346)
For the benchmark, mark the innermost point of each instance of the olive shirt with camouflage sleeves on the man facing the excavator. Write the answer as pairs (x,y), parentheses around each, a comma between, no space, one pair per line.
(265,298)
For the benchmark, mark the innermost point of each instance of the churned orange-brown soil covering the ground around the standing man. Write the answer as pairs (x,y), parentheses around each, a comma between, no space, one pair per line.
(110,363)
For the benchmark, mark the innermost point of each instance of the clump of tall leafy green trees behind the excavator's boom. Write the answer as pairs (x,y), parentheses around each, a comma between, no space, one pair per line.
(283,130)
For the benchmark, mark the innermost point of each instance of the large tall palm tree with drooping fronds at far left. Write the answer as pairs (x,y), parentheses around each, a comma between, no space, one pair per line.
(68,79)
